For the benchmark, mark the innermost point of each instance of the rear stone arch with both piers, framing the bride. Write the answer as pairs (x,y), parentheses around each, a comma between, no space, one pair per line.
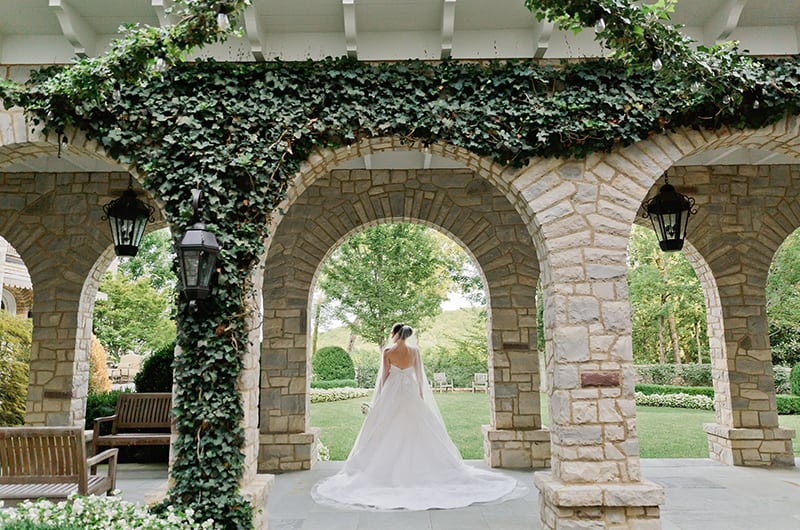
(457,202)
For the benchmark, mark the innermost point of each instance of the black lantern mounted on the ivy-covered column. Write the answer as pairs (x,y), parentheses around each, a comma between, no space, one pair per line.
(197,253)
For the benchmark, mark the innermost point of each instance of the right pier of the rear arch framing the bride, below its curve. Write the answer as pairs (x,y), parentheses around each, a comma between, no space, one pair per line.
(515,438)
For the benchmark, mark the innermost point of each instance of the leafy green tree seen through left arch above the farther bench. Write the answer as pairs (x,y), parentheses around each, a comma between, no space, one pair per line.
(134,317)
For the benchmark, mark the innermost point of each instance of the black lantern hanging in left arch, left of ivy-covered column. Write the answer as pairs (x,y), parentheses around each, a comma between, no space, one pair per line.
(127,217)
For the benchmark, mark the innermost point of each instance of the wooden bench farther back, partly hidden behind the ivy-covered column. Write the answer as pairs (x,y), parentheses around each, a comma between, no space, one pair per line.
(140,419)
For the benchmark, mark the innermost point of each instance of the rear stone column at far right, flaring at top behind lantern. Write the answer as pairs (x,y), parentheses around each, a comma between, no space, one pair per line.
(743,214)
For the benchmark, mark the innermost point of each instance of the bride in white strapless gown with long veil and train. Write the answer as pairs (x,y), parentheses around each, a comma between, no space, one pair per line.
(403,457)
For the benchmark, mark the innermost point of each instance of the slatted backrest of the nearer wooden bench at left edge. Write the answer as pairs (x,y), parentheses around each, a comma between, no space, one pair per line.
(42,454)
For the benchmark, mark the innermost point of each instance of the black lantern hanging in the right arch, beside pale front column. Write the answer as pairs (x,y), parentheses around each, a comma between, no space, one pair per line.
(669,212)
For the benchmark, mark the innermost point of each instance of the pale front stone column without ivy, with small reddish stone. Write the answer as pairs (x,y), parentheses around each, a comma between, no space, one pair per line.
(585,212)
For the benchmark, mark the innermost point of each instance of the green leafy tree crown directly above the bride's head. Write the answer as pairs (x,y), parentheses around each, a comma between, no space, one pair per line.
(385,274)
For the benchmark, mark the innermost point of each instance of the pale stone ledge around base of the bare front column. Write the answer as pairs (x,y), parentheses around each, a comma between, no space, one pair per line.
(557,493)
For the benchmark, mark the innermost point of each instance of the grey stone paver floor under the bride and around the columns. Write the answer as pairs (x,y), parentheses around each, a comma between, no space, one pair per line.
(701,495)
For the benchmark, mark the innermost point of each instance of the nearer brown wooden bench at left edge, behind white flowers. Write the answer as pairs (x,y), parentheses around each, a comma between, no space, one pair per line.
(50,463)
